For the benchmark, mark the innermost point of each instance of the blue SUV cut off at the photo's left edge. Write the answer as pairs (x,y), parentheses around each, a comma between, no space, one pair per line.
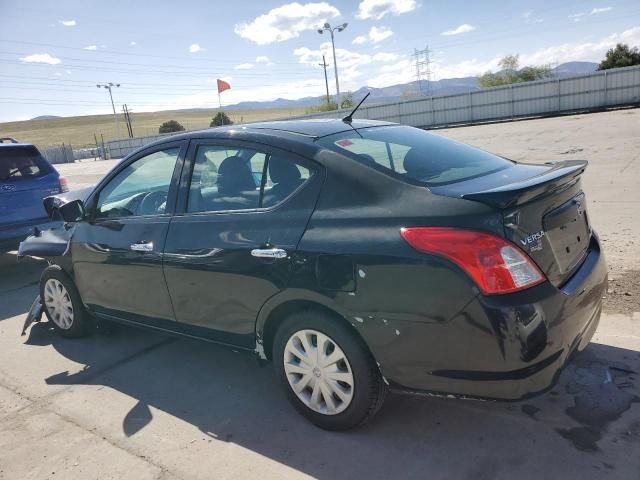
(26,177)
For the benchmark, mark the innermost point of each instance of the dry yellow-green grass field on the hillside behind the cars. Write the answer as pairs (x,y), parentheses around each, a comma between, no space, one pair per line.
(79,131)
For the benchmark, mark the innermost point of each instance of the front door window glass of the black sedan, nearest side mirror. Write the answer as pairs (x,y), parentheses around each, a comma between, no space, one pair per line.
(141,188)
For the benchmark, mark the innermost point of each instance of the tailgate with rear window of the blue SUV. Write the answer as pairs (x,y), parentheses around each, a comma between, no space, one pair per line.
(25,179)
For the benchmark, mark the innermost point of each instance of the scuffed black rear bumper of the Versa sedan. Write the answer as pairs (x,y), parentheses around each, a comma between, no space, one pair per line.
(503,347)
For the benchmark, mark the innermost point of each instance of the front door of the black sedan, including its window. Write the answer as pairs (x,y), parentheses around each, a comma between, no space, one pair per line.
(117,251)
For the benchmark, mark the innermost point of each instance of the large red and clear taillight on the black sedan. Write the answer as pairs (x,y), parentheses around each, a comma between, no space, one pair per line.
(494,264)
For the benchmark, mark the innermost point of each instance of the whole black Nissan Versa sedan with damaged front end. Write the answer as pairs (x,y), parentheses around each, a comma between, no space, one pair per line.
(357,256)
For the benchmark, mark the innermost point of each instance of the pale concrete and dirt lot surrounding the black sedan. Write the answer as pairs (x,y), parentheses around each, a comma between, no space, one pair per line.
(128,403)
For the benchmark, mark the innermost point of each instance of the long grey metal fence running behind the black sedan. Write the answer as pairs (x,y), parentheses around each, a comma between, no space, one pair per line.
(588,92)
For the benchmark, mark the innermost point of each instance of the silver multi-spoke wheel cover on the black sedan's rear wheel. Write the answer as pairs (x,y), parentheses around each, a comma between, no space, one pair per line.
(318,372)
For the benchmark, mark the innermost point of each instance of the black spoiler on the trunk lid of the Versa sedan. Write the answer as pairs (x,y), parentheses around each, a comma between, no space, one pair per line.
(559,176)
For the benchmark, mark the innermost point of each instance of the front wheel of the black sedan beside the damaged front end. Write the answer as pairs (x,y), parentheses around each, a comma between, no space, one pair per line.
(62,304)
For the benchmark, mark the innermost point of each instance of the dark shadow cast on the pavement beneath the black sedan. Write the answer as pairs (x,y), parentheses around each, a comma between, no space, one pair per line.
(226,396)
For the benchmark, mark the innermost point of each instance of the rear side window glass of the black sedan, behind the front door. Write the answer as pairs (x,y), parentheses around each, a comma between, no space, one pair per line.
(227,178)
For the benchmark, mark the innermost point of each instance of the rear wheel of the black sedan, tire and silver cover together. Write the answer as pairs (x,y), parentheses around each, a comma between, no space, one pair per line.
(353,399)
